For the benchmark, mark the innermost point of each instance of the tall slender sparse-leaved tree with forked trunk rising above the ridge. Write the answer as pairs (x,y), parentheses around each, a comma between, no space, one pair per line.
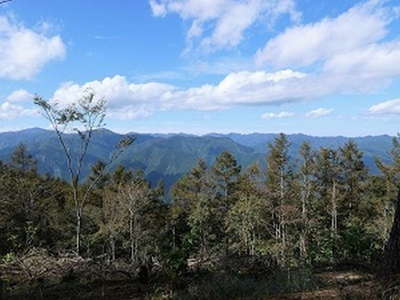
(83,117)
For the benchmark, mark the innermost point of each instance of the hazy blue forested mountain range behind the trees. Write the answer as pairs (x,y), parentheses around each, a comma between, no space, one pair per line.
(169,156)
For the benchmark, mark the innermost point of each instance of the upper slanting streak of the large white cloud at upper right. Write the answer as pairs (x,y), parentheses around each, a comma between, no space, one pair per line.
(304,45)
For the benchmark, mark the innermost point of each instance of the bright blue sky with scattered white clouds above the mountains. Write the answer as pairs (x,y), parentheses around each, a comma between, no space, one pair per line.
(322,68)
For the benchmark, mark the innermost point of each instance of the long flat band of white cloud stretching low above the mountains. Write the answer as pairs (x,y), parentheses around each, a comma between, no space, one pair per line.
(129,100)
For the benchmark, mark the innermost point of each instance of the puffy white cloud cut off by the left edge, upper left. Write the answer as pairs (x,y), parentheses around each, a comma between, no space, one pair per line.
(24,52)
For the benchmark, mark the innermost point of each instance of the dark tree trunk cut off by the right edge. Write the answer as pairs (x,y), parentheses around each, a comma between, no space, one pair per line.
(392,249)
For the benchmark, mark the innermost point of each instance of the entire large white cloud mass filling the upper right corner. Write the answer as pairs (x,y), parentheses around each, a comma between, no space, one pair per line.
(349,53)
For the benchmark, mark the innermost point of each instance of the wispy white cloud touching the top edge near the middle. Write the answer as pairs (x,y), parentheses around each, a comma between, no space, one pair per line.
(219,24)
